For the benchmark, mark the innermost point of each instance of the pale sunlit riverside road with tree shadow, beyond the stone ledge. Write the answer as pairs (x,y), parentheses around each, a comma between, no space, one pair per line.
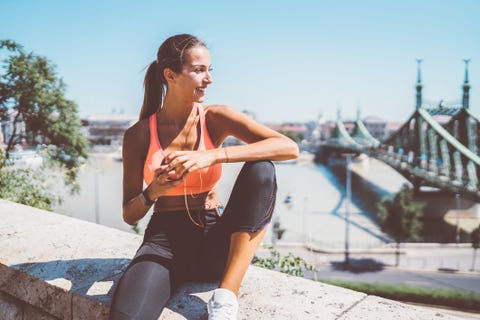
(378,267)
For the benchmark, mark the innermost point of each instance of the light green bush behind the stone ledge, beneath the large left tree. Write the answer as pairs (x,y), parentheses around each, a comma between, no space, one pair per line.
(26,186)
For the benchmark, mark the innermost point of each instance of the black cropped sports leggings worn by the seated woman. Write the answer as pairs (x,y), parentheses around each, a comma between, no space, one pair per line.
(175,251)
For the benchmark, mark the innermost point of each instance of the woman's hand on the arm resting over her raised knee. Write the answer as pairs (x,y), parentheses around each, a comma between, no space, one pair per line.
(185,162)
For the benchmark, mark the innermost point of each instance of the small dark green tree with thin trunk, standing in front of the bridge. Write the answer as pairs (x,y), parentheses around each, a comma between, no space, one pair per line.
(401,217)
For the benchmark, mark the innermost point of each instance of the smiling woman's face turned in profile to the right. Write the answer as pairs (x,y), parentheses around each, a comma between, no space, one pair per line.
(195,76)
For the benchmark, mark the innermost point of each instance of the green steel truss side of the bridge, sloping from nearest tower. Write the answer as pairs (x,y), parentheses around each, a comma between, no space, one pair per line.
(428,151)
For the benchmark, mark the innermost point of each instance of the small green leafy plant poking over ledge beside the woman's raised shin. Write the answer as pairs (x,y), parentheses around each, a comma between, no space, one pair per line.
(289,264)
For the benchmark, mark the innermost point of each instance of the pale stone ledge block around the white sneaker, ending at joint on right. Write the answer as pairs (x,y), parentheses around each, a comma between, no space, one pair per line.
(266,294)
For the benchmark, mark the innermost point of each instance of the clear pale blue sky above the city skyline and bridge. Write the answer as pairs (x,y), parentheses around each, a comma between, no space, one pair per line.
(283,60)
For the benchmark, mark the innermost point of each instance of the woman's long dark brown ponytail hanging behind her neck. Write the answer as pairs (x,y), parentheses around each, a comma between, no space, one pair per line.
(153,88)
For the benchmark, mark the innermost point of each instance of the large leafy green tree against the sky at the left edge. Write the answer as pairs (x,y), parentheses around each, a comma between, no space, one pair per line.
(33,95)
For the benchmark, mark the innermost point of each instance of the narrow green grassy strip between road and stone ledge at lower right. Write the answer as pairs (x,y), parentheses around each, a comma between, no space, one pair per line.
(432,296)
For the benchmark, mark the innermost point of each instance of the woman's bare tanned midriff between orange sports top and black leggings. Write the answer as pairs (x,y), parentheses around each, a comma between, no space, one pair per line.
(206,200)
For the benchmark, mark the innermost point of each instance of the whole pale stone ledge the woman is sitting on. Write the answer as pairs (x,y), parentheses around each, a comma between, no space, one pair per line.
(58,267)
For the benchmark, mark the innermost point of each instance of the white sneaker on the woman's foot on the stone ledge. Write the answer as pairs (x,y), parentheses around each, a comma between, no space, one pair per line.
(223,305)
